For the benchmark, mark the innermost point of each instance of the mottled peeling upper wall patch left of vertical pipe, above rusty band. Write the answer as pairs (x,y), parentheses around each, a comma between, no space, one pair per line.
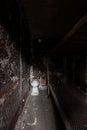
(9,58)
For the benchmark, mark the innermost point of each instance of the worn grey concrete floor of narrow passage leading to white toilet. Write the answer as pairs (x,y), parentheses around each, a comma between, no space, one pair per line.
(38,114)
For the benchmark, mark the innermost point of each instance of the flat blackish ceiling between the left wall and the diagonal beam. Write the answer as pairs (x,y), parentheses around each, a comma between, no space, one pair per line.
(53,17)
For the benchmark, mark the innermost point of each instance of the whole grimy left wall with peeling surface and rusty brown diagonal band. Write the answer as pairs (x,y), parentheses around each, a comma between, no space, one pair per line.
(12,87)
